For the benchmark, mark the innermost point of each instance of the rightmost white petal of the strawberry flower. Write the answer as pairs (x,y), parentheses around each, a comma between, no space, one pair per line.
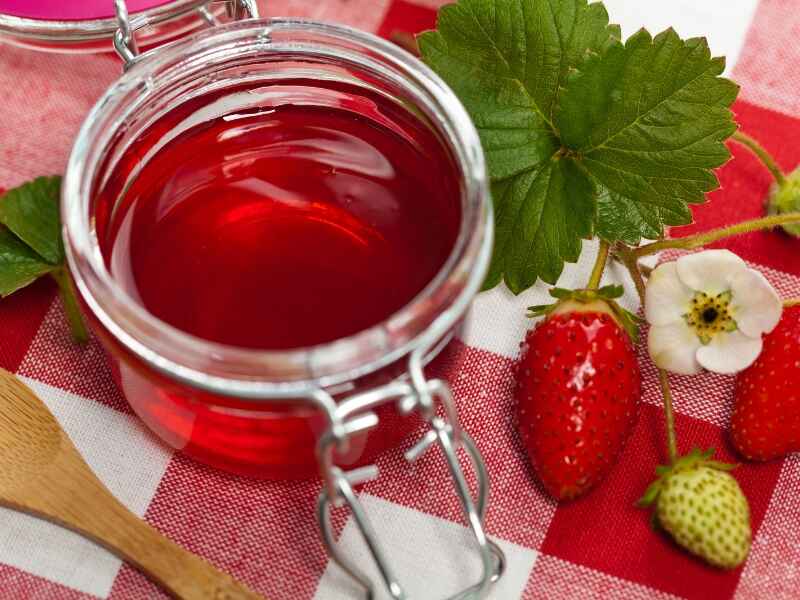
(756,305)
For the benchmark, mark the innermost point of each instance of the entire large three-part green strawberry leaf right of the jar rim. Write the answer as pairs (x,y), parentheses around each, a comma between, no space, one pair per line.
(583,135)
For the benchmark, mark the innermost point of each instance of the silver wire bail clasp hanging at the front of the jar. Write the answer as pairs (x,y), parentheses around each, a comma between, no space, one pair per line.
(357,414)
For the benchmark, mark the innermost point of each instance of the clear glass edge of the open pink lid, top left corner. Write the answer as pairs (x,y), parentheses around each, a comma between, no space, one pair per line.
(83,30)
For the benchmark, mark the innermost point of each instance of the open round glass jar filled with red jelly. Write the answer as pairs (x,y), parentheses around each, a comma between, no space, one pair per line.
(266,218)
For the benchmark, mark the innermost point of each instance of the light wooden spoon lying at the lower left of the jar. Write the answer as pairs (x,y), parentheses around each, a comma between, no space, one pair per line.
(42,473)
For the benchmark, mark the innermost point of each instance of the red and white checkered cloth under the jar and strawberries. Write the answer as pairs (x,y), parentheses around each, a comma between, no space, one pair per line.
(264,533)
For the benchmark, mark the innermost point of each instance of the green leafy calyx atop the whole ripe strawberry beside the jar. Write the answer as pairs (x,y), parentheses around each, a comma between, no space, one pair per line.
(603,299)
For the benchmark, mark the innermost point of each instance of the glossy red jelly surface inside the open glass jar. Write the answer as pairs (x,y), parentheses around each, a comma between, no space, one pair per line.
(287,224)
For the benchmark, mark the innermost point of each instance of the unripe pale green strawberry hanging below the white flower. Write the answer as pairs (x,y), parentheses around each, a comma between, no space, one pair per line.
(703,508)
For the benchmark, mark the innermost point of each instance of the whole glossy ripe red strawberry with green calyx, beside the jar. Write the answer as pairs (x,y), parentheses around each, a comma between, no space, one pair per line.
(578,393)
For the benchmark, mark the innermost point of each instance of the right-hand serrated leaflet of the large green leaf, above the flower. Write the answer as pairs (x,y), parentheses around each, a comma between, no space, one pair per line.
(647,120)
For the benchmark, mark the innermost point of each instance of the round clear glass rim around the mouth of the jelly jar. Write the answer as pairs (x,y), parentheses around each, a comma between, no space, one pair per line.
(256,374)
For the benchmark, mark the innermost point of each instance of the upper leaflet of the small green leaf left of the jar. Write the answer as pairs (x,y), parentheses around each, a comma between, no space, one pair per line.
(31,213)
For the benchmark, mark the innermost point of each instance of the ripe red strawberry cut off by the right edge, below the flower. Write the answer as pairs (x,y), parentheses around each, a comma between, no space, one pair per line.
(766,414)
